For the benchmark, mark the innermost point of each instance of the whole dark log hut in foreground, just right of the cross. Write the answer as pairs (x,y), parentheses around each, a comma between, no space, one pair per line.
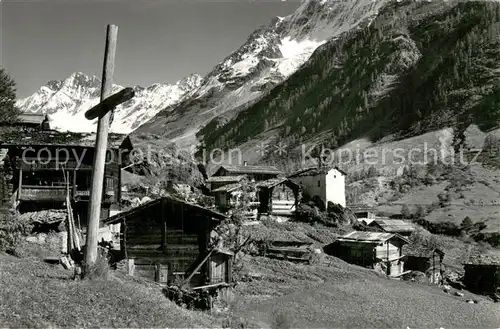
(169,240)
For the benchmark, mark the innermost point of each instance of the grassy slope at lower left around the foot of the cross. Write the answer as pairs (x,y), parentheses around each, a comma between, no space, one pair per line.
(35,294)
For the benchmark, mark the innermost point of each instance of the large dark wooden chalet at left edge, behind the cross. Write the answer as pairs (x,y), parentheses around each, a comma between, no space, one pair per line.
(42,164)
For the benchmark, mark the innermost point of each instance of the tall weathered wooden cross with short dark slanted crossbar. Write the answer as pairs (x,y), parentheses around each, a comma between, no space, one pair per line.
(102,111)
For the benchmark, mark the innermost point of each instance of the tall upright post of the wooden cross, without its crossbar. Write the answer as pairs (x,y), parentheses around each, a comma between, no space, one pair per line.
(100,149)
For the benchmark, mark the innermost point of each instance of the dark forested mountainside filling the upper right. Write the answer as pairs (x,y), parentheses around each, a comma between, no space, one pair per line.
(418,67)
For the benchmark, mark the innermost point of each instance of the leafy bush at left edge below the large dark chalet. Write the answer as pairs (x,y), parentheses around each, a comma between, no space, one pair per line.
(12,230)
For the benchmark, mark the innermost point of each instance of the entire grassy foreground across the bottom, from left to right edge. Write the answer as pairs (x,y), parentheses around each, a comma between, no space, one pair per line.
(271,294)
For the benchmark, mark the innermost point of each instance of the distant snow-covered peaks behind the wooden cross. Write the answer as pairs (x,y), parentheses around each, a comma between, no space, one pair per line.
(66,102)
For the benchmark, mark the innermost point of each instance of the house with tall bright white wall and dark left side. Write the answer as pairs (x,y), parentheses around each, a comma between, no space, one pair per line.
(326,183)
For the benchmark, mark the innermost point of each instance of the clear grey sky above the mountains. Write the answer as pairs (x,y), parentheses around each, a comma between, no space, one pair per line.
(158,41)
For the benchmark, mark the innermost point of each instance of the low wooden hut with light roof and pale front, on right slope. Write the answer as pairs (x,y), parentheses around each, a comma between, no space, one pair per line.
(371,249)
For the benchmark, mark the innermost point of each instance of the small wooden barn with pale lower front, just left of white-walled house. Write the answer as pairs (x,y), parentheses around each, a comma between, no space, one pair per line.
(278,196)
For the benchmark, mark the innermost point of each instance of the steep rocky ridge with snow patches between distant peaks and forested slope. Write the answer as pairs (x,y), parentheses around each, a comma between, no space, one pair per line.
(269,56)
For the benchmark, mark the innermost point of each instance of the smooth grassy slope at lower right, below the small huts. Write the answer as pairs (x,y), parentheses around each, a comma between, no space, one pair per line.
(343,295)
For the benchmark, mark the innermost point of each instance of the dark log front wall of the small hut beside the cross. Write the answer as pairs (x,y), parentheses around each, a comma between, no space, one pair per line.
(167,234)
